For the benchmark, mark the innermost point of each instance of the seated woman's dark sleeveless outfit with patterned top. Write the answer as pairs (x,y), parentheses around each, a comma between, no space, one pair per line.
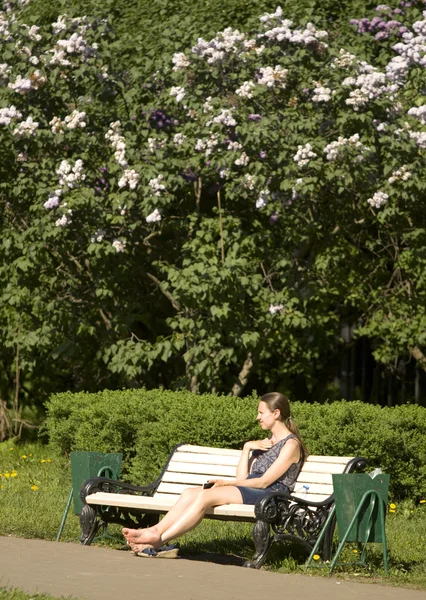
(263,460)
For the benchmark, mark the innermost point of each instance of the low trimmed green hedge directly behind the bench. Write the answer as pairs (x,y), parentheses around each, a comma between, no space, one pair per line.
(145,425)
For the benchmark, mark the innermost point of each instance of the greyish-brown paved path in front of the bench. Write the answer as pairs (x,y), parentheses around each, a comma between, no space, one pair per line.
(93,573)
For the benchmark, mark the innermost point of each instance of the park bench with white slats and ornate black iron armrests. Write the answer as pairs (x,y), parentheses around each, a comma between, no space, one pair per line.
(299,516)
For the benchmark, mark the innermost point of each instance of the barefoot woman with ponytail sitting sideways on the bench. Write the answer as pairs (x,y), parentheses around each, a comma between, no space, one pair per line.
(268,465)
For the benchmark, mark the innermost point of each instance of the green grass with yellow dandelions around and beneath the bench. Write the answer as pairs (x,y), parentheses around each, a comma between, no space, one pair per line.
(35,484)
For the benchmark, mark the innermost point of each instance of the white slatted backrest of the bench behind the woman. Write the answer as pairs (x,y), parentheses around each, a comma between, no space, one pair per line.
(192,466)
